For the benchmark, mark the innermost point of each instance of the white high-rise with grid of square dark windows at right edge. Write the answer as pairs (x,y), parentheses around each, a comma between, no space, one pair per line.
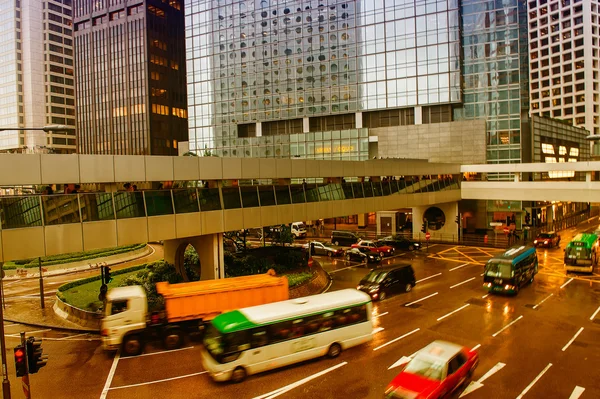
(563,44)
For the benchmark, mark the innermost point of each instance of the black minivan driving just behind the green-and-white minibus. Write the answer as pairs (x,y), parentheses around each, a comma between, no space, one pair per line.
(383,282)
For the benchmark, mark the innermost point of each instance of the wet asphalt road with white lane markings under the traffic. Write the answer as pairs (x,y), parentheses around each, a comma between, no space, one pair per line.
(533,335)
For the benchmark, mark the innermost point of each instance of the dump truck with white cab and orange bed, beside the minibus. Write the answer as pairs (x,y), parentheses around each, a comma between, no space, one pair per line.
(128,326)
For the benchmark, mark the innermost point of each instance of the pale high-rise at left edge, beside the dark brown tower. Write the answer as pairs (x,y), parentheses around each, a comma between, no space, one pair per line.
(36,76)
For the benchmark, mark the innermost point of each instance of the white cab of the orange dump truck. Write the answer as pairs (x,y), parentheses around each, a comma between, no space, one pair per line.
(125,311)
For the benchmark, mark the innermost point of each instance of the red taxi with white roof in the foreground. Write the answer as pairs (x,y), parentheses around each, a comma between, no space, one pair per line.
(436,371)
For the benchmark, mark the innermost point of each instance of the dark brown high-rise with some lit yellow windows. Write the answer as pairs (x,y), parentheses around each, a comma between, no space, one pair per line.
(130,76)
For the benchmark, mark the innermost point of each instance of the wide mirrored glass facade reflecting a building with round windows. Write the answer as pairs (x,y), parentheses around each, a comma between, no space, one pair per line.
(259,61)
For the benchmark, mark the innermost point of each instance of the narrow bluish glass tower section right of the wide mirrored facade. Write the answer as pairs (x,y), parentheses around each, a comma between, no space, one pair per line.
(495,74)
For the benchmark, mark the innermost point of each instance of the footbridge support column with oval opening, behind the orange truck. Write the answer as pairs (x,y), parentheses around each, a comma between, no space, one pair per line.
(210,253)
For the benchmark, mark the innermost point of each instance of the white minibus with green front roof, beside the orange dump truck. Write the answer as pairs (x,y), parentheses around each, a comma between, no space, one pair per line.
(259,338)
